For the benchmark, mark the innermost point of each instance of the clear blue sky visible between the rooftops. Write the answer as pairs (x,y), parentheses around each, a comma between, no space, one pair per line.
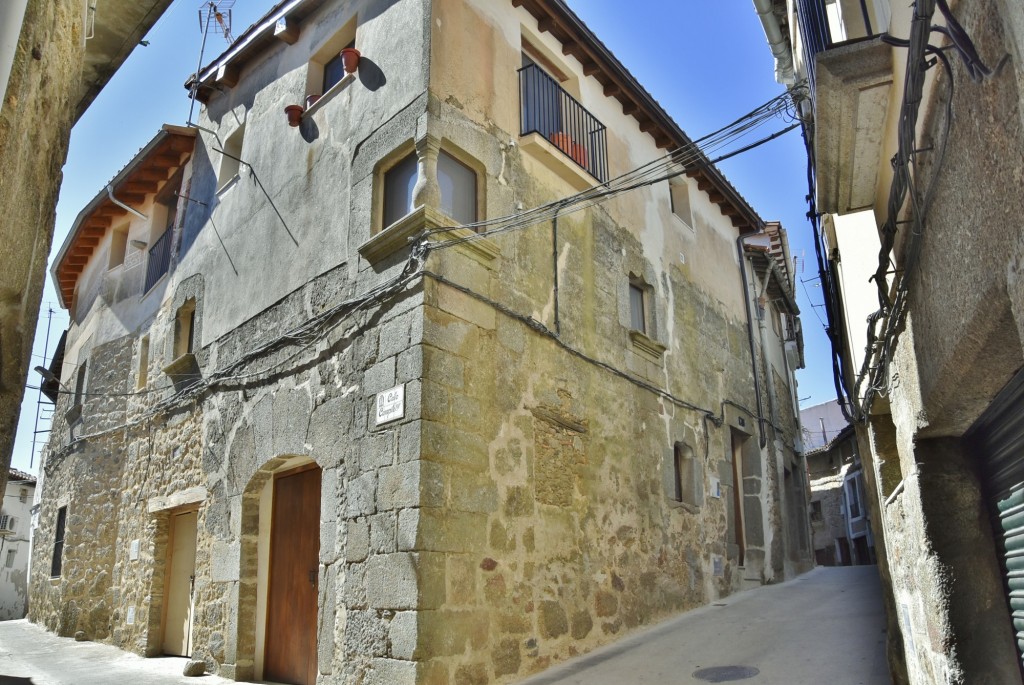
(707,63)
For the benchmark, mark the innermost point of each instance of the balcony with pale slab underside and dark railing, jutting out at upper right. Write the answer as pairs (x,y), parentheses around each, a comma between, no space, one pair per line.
(850,72)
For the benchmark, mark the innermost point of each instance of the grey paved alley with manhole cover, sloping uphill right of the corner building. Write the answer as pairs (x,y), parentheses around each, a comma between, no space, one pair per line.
(825,627)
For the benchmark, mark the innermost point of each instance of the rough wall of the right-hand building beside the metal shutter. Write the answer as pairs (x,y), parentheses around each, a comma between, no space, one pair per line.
(961,344)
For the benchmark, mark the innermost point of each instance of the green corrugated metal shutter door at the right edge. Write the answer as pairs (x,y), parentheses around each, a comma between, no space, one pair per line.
(999,437)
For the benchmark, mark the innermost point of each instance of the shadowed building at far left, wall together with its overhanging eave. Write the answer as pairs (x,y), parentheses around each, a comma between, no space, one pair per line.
(56,56)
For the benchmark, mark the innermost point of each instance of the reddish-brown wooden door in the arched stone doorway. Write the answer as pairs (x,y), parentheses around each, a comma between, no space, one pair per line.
(290,651)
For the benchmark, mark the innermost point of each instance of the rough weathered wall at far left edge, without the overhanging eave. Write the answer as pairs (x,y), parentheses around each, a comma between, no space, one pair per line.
(35,127)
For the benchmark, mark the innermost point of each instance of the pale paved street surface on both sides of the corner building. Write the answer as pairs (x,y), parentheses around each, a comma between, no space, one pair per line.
(825,627)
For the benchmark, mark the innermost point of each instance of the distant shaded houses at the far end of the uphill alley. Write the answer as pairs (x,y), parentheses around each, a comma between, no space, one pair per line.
(841,534)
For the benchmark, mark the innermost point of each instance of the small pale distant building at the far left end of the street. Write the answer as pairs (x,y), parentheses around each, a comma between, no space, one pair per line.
(16,533)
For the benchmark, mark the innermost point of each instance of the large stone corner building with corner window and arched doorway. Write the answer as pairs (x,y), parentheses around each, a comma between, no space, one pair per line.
(329,417)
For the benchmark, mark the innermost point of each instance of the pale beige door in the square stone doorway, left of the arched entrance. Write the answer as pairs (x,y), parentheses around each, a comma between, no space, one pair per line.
(181,575)
